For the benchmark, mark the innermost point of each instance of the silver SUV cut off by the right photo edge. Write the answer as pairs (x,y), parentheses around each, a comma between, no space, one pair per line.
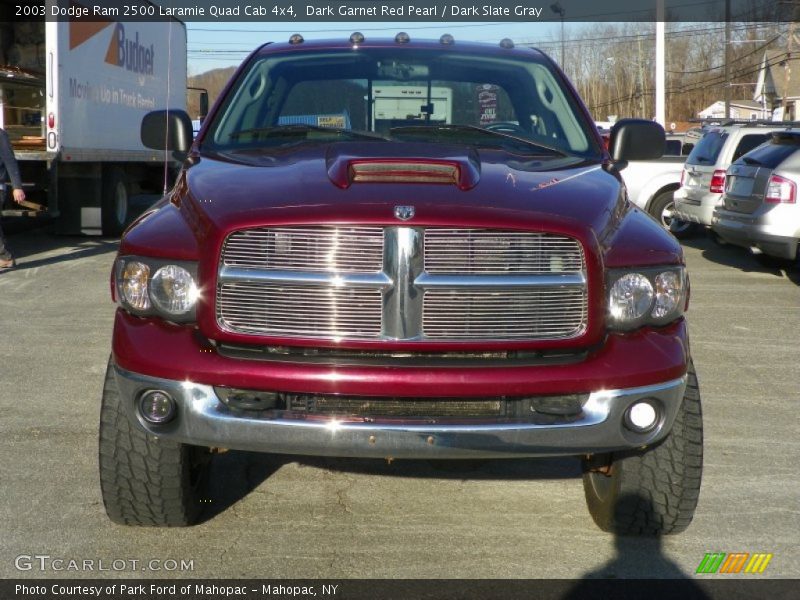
(759,209)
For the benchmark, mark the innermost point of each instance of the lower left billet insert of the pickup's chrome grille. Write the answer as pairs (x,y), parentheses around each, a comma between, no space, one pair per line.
(266,309)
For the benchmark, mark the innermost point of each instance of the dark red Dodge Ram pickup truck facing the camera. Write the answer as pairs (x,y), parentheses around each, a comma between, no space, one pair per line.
(399,249)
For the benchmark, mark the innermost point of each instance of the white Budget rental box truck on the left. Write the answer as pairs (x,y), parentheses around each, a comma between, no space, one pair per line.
(72,97)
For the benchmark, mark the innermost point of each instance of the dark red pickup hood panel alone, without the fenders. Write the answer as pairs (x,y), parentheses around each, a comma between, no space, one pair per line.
(312,184)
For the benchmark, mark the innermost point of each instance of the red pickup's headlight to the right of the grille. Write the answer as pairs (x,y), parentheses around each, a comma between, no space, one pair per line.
(651,296)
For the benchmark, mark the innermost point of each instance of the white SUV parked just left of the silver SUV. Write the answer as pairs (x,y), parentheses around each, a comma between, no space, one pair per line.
(703,177)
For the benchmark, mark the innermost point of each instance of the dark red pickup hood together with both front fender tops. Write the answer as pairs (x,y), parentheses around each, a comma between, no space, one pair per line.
(312,184)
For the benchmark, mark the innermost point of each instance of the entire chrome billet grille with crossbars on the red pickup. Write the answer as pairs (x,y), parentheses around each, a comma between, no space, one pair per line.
(402,283)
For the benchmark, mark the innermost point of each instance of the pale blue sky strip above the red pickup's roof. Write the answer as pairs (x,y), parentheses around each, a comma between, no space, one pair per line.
(219,45)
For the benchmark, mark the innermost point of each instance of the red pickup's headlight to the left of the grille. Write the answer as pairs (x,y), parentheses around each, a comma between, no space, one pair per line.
(159,287)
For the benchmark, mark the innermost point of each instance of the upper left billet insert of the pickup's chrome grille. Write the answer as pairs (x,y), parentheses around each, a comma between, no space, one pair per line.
(314,249)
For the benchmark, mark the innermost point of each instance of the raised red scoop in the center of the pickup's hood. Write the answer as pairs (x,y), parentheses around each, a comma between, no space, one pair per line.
(407,163)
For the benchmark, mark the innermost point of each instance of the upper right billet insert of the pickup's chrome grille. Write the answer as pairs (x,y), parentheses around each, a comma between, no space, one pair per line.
(476,251)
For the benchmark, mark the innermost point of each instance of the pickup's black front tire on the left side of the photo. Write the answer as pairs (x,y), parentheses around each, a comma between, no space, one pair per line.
(146,480)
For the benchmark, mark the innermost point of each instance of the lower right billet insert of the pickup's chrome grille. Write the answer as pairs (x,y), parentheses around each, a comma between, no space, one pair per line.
(510,314)
